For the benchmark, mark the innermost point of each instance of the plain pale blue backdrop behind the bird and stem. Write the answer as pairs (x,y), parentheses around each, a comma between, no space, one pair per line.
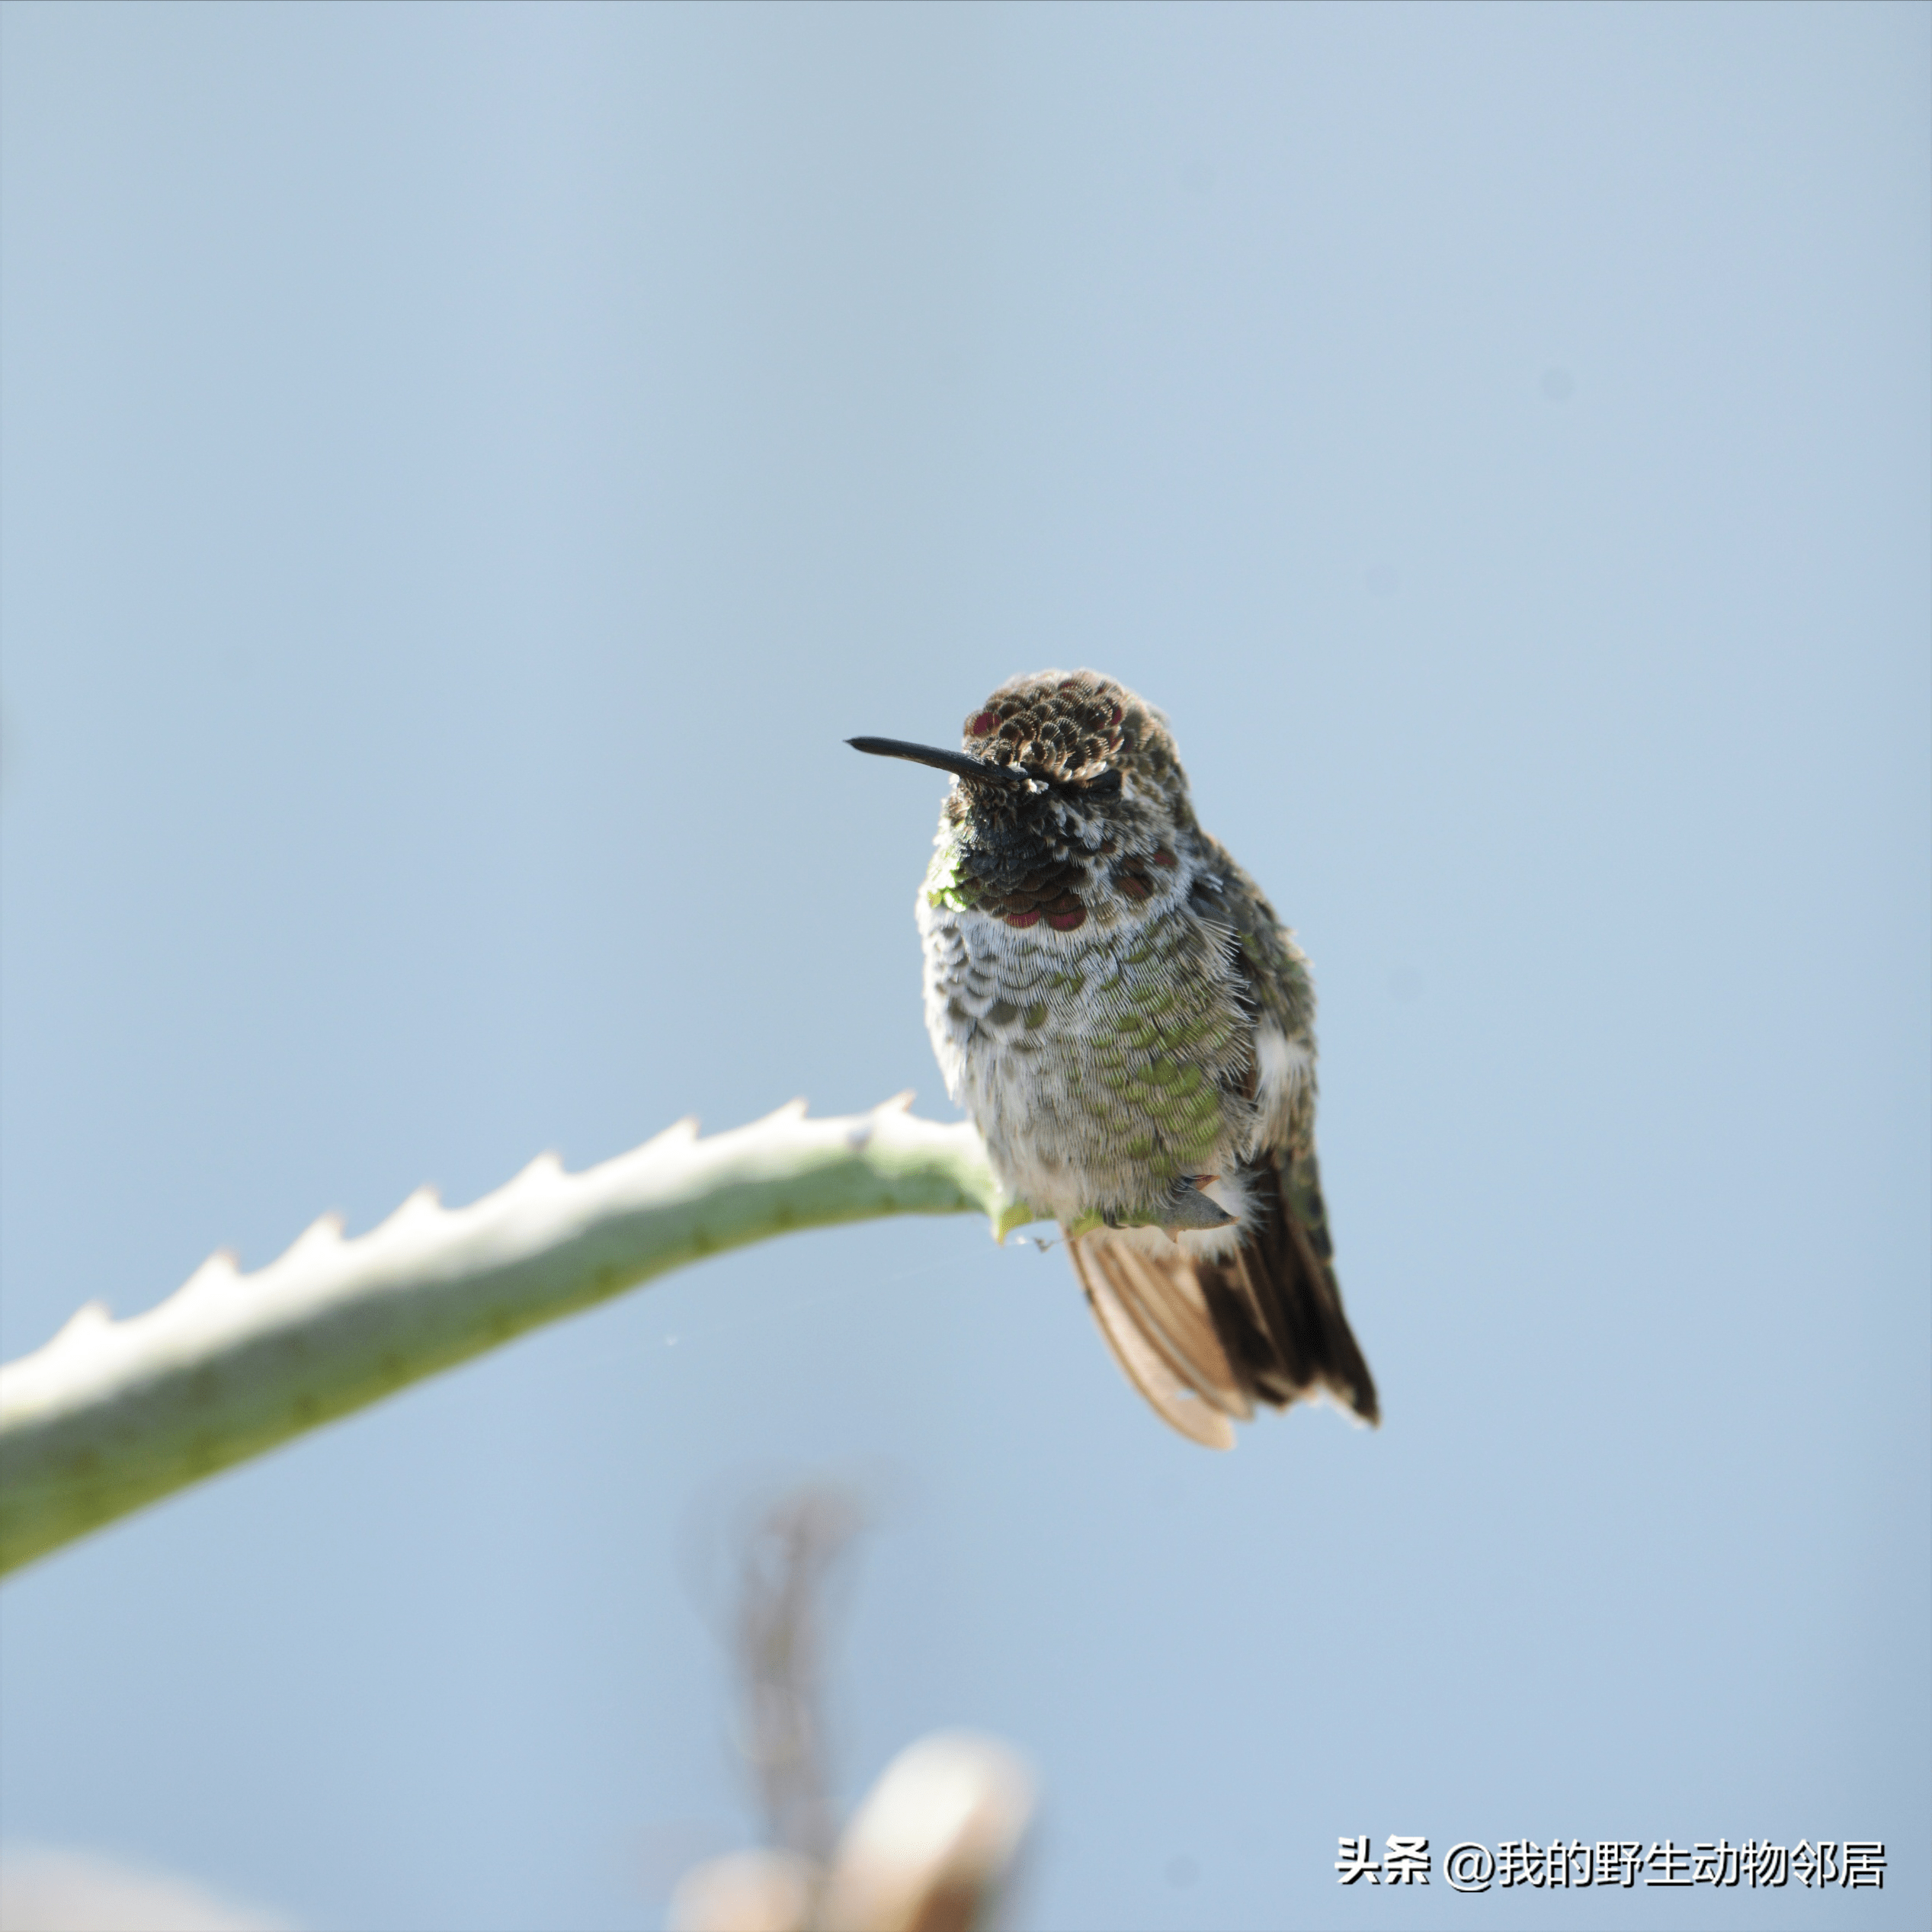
(469,469)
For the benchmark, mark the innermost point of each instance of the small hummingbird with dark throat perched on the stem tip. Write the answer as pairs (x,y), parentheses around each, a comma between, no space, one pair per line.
(1131,1029)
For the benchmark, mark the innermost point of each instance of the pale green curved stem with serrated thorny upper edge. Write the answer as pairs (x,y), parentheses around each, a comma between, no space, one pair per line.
(113,1415)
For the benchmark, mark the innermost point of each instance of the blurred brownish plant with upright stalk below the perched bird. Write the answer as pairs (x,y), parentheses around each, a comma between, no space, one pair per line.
(934,1842)
